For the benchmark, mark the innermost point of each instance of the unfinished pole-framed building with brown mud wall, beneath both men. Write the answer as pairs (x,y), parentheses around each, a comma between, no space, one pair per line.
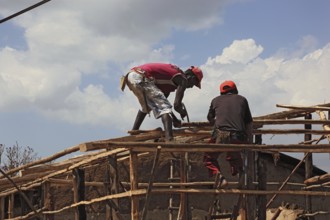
(52,188)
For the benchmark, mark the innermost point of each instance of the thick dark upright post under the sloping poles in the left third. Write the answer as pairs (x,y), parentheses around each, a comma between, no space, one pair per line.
(79,193)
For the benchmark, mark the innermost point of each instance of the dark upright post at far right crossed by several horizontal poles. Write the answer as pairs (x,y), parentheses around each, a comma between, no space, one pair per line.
(308,163)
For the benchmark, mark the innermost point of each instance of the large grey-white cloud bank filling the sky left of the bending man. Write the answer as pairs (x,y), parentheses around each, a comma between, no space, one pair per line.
(66,41)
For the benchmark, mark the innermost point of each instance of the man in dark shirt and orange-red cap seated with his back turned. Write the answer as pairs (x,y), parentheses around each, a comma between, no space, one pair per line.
(230,114)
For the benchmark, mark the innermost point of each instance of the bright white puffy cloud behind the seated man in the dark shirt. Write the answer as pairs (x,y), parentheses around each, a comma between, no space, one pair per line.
(264,82)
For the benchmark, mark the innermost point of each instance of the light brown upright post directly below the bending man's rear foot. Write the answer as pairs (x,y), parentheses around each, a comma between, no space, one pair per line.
(134,185)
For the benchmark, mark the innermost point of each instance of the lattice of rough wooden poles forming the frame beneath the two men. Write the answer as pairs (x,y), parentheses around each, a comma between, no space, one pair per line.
(191,137)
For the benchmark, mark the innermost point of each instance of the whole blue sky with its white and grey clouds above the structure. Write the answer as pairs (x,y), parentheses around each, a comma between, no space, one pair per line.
(61,62)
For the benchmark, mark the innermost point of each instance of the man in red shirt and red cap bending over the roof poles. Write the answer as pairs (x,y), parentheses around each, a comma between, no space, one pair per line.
(152,83)
